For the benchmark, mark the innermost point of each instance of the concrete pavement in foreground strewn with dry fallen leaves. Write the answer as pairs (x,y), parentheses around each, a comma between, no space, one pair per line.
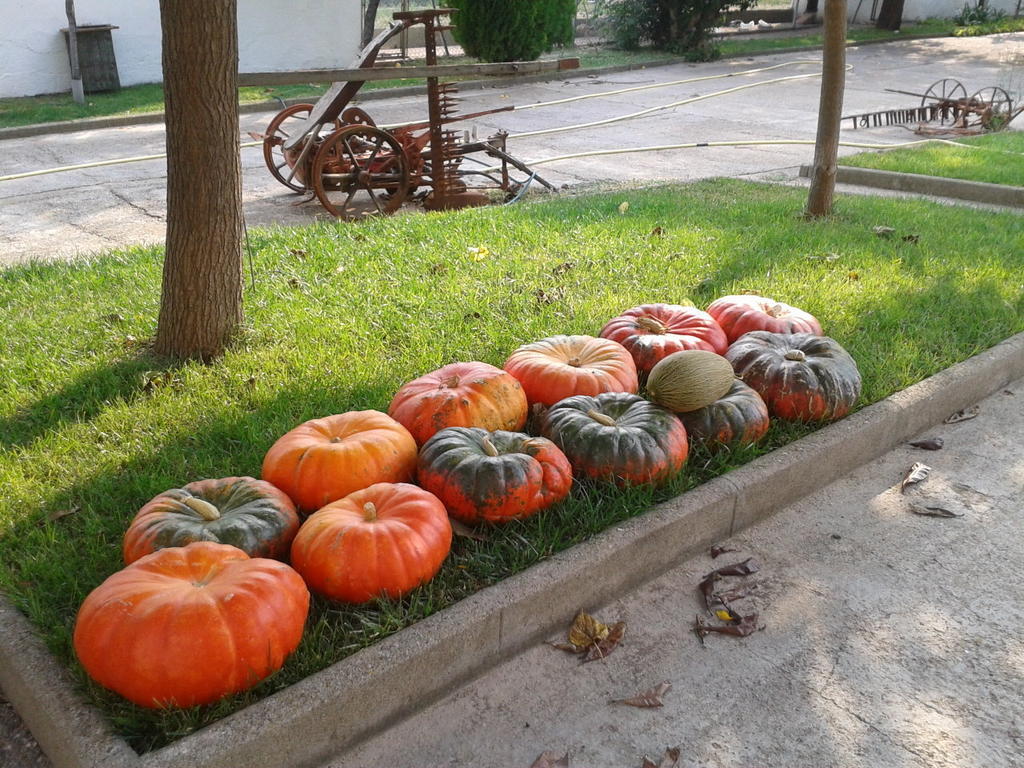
(890,639)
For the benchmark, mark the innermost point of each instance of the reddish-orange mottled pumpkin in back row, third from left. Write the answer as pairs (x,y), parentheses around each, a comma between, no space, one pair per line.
(461,395)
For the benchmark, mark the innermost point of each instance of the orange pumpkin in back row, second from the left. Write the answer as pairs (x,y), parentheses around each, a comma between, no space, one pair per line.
(324,460)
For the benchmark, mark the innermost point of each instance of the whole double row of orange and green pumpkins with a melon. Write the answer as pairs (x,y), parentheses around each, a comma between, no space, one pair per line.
(206,607)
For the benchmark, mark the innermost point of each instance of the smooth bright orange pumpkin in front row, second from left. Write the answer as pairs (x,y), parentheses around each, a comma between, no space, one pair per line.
(382,541)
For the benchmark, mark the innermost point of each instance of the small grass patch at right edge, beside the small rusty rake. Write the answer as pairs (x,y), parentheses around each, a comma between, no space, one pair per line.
(998,159)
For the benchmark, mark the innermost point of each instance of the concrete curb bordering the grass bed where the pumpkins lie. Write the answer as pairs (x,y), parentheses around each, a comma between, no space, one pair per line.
(366,694)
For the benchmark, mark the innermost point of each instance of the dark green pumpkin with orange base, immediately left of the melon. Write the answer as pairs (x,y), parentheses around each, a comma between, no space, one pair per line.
(618,437)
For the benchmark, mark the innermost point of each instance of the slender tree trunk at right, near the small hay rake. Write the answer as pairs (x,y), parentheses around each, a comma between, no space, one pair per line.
(820,199)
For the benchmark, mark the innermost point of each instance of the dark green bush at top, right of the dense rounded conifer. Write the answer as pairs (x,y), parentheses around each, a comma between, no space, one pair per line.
(679,26)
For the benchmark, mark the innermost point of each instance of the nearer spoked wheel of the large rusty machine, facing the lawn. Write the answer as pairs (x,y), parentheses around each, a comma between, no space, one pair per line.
(361,172)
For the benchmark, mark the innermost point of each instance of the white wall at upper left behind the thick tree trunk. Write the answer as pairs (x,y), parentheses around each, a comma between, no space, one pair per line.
(274,36)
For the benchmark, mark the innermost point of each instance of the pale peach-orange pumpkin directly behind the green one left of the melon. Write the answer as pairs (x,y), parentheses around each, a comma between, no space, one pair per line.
(561,367)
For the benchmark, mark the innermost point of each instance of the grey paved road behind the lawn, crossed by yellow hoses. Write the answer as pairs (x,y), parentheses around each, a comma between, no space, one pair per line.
(70,215)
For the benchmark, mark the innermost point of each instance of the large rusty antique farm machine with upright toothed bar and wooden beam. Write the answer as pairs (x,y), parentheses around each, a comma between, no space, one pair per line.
(357,168)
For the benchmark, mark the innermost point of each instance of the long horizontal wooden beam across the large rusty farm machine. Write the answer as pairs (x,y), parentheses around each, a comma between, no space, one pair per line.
(405,73)
